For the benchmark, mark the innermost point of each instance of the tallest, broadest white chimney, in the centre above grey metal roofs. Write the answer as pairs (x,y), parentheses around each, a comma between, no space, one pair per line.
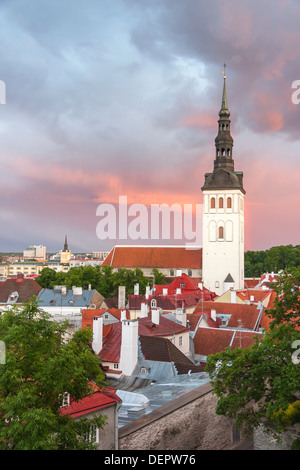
(129,346)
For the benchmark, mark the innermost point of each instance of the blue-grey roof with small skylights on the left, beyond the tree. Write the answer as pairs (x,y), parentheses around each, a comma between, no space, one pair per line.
(53,298)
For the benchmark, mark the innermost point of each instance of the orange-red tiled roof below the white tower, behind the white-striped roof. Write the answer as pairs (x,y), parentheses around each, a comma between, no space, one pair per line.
(248,314)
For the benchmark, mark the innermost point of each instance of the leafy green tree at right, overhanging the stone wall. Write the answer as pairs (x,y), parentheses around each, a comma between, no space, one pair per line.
(260,385)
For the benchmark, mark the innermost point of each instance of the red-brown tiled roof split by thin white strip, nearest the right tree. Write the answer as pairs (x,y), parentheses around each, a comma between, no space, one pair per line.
(213,340)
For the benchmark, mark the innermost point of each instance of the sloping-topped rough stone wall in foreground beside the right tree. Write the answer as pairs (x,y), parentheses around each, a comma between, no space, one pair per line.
(188,423)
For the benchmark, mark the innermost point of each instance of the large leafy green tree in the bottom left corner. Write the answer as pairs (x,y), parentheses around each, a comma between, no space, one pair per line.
(40,368)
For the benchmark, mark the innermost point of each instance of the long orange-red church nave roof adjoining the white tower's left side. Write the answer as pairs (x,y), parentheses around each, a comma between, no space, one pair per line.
(154,257)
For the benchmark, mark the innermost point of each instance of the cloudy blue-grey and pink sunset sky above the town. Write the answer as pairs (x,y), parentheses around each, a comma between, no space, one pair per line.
(121,98)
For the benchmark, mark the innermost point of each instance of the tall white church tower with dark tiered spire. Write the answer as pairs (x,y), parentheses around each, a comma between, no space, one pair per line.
(223,214)
